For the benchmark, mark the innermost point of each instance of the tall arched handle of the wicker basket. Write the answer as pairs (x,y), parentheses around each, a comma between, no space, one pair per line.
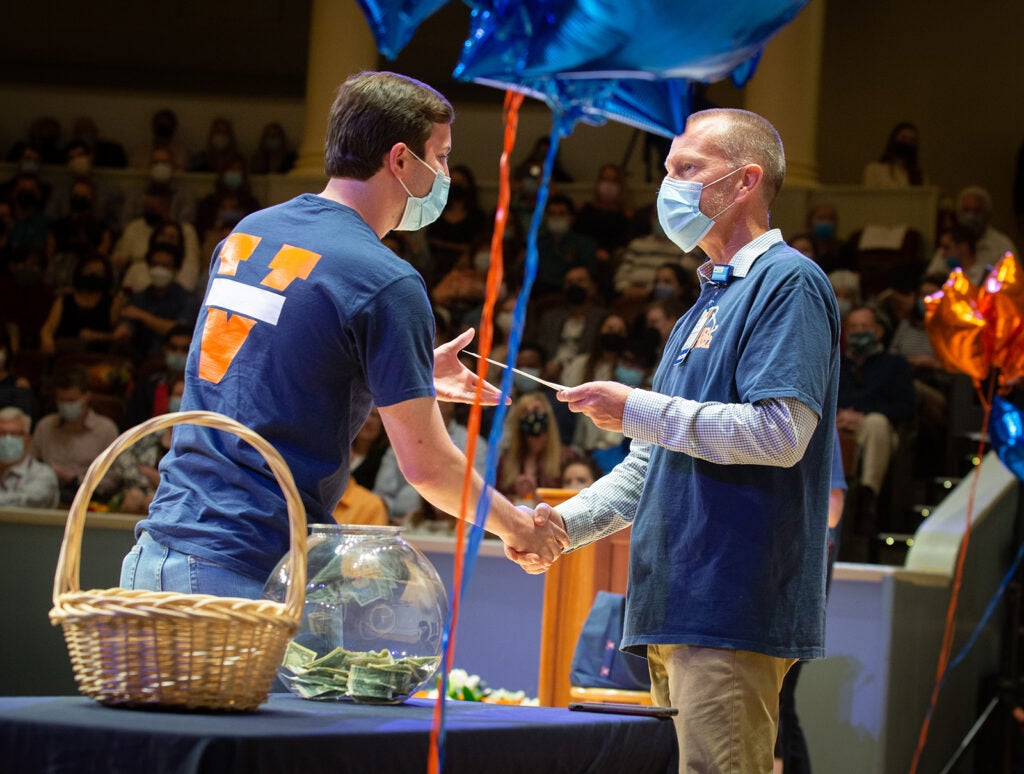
(69,562)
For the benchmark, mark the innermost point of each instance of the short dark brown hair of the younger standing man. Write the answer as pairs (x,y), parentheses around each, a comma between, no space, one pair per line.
(372,113)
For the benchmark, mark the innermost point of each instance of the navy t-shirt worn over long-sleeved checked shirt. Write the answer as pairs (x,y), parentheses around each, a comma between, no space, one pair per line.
(734,556)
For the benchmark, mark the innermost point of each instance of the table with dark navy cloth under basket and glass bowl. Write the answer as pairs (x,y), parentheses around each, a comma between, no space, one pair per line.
(289,735)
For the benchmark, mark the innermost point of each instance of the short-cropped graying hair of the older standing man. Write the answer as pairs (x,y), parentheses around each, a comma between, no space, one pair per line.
(746,138)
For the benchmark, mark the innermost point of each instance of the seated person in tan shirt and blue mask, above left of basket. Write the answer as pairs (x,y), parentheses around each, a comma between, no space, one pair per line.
(72,438)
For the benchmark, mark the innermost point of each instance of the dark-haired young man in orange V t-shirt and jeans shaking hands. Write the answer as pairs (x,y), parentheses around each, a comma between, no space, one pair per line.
(309,321)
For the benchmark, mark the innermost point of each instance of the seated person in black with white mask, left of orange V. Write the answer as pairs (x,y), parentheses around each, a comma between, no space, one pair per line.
(152,314)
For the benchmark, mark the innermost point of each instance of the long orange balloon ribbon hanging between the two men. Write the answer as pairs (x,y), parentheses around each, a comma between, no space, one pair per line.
(436,758)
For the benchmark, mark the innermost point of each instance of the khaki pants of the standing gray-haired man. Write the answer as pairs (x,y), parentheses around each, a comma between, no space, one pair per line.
(728,703)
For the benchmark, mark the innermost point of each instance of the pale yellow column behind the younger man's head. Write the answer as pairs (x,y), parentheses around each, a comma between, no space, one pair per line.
(340,45)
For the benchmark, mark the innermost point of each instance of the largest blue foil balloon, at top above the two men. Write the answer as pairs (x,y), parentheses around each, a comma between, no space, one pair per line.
(699,40)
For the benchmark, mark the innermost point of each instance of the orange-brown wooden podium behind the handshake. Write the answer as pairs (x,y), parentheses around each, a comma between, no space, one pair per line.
(570,589)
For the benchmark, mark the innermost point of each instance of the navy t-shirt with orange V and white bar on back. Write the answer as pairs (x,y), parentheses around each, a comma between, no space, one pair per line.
(308,321)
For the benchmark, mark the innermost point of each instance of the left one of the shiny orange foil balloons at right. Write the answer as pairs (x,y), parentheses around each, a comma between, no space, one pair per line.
(955,327)
